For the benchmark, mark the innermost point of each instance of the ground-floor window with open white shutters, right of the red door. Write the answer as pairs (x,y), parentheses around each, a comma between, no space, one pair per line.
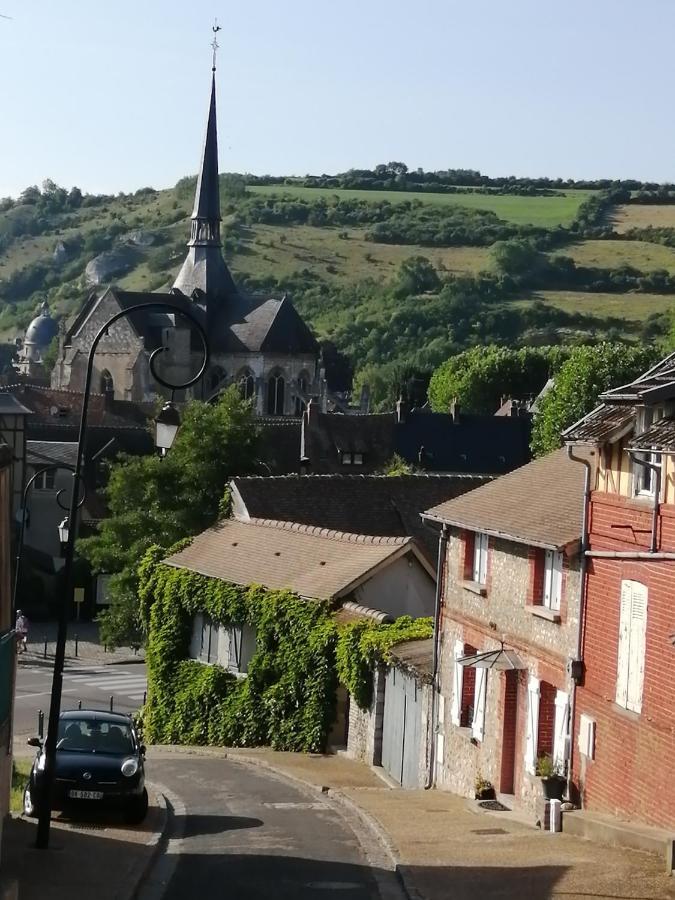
(547,724)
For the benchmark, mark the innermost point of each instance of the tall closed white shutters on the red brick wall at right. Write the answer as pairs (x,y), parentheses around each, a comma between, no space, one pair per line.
(630,668)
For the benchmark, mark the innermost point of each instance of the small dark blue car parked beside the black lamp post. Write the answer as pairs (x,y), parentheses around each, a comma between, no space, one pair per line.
(99,762)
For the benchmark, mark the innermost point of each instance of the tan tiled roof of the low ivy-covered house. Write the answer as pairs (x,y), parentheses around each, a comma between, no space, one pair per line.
(313,562)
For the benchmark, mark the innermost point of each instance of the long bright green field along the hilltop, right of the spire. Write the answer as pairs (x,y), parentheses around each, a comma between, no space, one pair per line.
(543,211)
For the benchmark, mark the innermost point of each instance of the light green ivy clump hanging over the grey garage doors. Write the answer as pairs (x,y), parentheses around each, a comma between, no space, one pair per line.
(363,644)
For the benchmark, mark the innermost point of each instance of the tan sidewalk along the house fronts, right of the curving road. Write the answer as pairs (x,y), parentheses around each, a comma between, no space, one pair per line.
(445,847)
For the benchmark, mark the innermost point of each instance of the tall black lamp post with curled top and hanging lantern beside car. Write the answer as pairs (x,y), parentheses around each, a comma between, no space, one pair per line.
(167,426)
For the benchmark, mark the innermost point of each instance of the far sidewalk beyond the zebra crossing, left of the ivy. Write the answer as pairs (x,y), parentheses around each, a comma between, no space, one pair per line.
(83,644)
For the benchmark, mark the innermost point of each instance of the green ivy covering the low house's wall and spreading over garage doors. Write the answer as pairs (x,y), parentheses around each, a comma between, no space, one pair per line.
(287,700)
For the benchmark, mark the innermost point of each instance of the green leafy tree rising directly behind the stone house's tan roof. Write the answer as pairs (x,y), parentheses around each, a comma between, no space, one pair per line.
(587,373)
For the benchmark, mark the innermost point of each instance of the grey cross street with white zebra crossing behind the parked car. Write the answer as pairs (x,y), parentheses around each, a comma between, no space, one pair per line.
(93,685)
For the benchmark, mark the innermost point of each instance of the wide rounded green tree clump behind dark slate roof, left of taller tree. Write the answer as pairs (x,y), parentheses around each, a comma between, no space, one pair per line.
(480,377)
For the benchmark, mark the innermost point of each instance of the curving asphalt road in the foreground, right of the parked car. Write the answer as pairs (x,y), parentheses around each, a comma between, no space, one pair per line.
(239,832)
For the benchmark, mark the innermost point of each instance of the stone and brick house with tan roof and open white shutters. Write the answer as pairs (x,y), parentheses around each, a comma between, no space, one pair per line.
(511,577)
